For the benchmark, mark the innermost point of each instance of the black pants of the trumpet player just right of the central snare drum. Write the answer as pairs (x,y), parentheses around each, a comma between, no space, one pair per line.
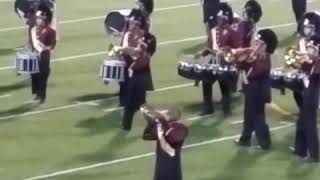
(134,97)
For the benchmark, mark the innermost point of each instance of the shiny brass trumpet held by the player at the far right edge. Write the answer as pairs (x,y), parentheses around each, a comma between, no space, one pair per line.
(294,58)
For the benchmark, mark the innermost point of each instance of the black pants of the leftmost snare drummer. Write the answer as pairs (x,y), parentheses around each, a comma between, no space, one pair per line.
(39,80)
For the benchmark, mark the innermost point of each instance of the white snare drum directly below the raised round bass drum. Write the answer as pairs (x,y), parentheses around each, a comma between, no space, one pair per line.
(113,70)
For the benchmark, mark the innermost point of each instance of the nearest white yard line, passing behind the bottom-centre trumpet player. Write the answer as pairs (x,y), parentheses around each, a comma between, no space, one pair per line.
(117,161)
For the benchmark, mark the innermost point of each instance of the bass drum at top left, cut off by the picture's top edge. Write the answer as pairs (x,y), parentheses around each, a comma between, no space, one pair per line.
(26,8)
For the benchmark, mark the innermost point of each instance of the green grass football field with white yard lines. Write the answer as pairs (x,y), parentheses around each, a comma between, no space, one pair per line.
(68,140)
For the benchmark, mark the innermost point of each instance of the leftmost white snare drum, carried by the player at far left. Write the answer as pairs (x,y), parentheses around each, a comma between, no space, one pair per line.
(27,62)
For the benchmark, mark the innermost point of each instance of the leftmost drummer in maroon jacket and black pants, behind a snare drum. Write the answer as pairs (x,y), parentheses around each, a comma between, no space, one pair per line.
(43,39)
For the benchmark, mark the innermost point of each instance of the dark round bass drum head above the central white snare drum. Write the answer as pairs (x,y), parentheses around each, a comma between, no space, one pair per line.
(115,23)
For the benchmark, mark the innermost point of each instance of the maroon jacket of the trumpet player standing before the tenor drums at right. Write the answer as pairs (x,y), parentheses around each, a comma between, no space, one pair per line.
(259,69)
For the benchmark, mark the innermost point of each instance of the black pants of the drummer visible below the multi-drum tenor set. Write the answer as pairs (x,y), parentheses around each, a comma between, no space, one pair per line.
(225,87)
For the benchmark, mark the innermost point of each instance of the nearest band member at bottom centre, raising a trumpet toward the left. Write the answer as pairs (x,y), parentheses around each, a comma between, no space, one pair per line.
(167,129)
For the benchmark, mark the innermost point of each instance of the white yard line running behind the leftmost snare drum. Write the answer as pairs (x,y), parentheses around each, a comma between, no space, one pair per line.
(160,44)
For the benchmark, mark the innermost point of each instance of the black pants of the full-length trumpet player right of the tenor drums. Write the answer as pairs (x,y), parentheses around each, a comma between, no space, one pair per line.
(256,95)
